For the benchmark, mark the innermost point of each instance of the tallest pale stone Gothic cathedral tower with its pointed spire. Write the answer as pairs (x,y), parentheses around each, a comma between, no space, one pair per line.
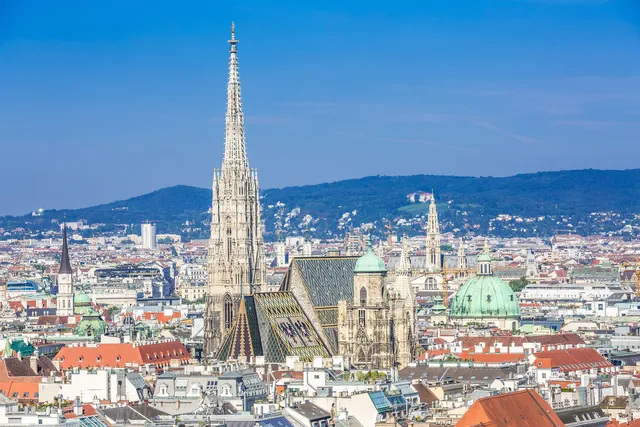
(236,250)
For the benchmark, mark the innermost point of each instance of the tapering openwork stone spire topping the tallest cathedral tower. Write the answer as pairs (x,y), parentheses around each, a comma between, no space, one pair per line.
(235,155)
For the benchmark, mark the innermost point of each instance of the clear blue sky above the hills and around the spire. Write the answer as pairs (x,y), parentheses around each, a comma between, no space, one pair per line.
(107,100)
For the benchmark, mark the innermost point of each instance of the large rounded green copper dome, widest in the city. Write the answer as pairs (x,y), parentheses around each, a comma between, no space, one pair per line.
(484,296)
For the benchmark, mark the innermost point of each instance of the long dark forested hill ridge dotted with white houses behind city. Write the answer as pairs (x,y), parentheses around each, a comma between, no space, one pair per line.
(539,204)
